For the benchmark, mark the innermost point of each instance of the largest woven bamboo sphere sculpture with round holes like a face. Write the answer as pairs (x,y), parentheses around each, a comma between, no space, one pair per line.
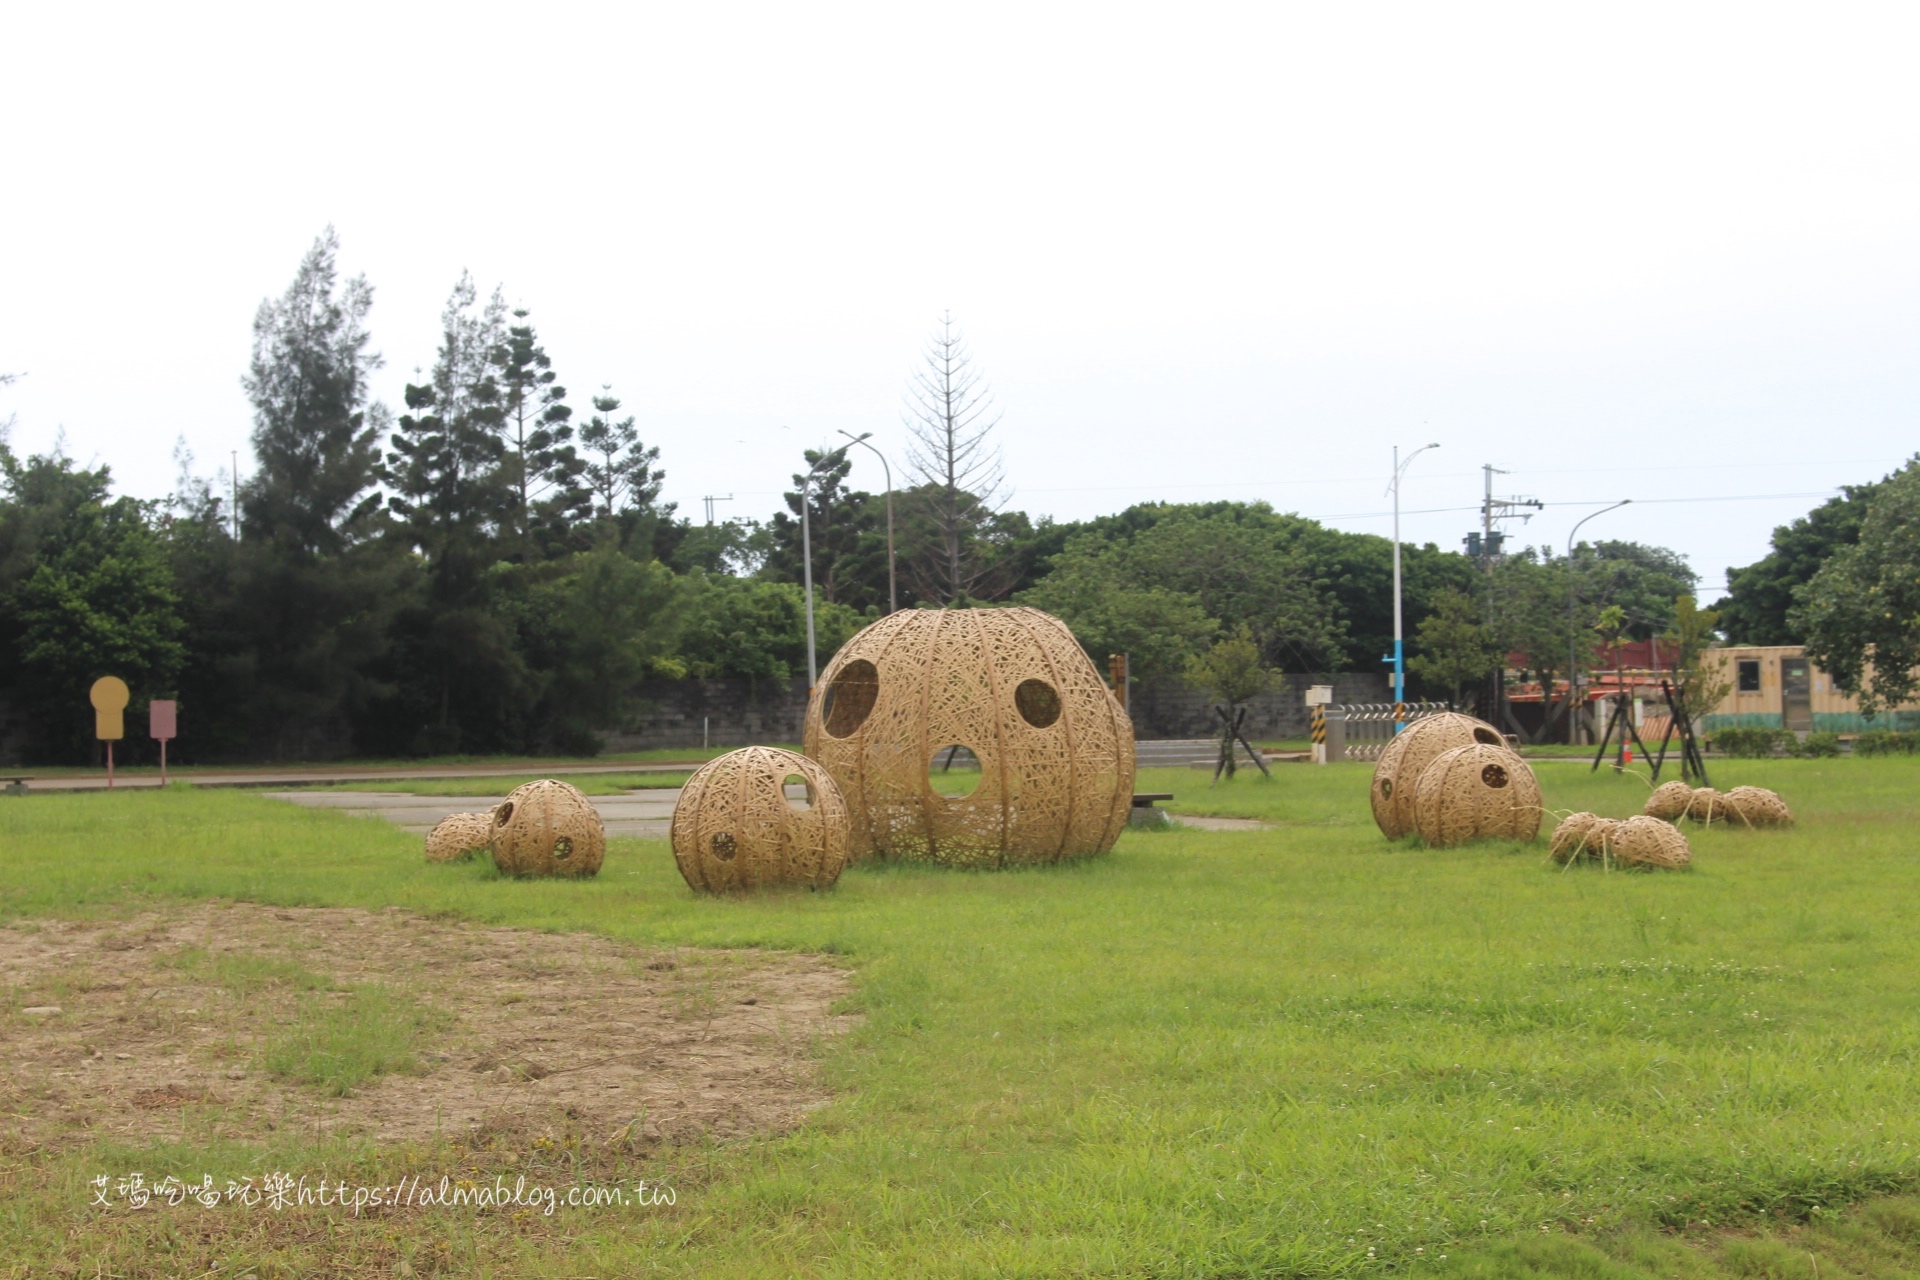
(1013,688)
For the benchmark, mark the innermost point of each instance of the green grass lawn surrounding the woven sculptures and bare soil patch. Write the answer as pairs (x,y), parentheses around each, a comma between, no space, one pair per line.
(1284,1053)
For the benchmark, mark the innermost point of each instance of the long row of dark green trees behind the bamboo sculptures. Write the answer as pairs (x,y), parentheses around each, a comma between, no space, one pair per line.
(494,571)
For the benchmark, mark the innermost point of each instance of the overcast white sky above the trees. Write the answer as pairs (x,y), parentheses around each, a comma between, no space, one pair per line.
(1660,252)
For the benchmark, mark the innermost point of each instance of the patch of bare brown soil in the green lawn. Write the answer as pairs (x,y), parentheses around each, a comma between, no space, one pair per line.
(126,1030)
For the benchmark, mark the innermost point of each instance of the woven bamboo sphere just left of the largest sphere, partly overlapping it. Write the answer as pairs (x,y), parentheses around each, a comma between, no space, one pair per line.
(738,828)
